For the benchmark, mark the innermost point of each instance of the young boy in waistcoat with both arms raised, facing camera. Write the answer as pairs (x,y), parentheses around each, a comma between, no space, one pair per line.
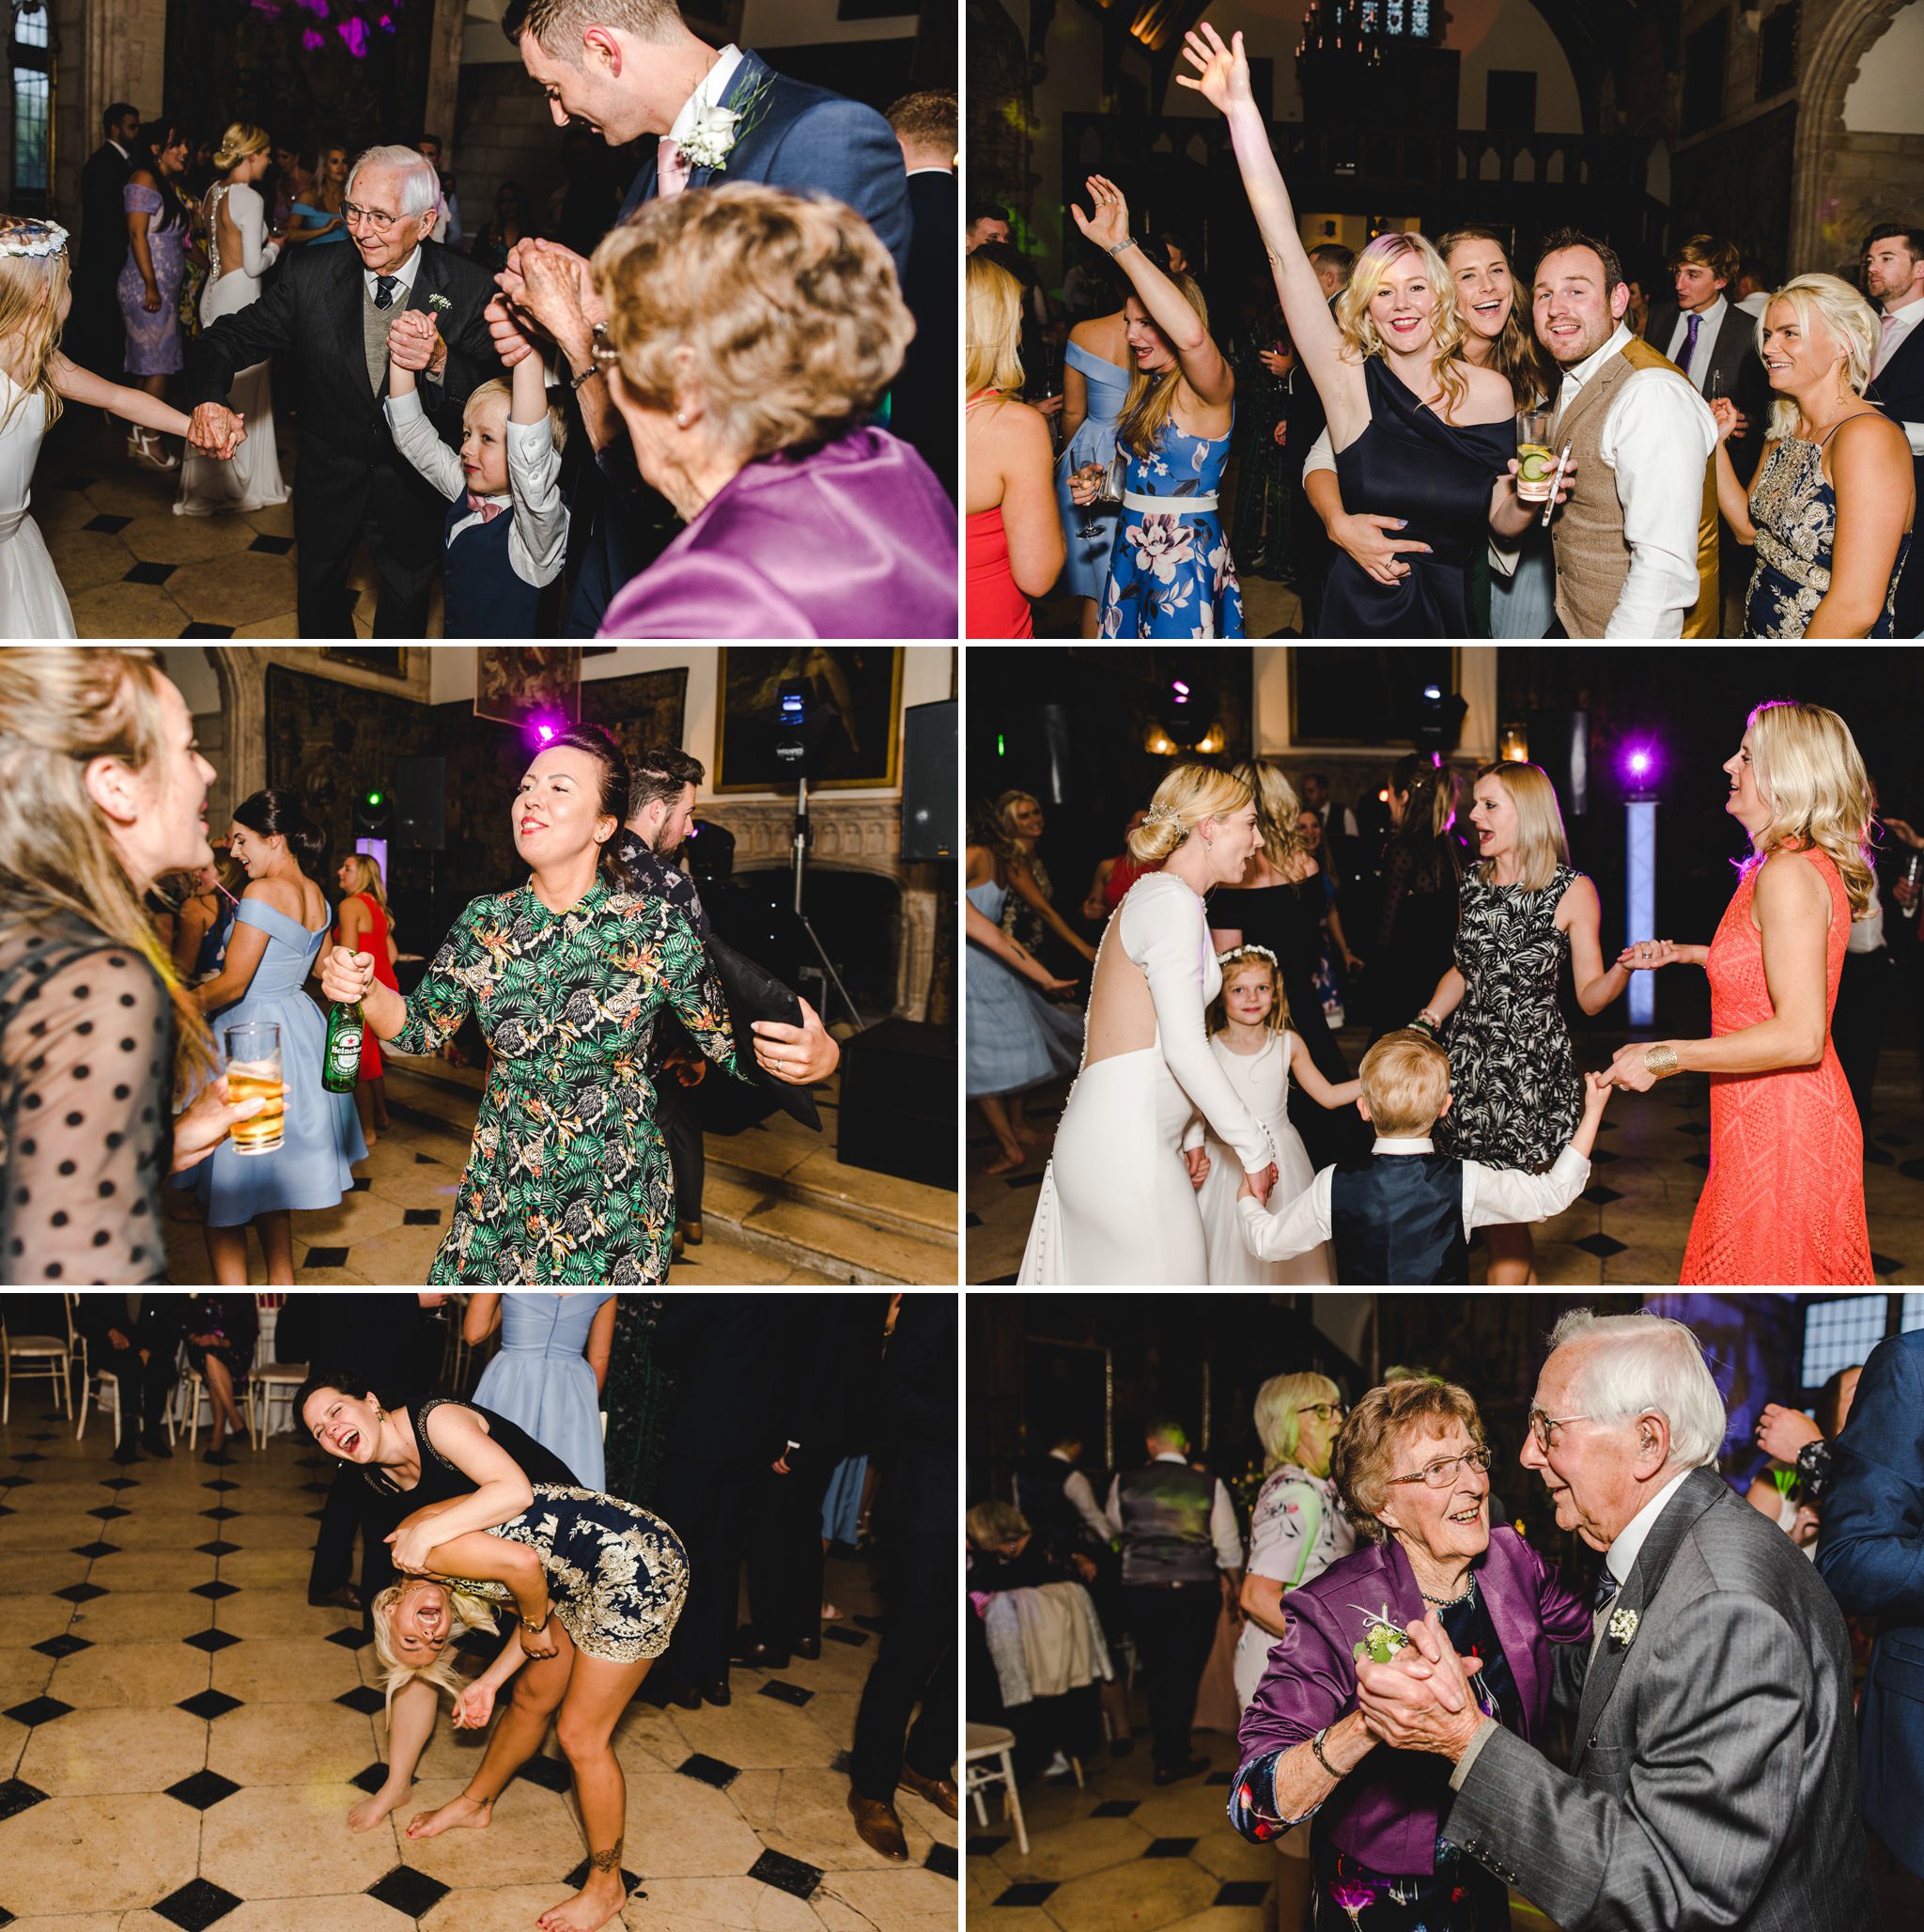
(507,530)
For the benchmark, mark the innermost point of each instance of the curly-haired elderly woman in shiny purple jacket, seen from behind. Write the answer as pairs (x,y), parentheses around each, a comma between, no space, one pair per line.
(750,339)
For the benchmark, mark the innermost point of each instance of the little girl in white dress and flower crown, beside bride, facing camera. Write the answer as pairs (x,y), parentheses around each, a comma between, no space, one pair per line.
(1255,1046)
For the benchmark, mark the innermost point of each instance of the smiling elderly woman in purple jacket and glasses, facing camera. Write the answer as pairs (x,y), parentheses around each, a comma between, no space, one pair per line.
(1413,1469)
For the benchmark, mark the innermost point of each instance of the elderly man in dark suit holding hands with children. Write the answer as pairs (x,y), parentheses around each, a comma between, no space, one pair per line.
(329,314)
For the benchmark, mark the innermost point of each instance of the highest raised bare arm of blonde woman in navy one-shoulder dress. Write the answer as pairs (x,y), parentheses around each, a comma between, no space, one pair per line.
(1224,80)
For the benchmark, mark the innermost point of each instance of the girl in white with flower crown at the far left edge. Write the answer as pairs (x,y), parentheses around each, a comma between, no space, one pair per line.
(34,384)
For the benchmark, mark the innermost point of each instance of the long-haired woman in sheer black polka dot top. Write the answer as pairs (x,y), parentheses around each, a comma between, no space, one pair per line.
(101,791)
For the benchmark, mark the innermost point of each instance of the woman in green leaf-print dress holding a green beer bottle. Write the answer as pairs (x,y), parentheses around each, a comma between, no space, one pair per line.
(569,1179)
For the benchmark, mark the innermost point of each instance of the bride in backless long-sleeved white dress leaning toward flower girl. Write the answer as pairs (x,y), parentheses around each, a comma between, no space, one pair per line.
(1116,1205)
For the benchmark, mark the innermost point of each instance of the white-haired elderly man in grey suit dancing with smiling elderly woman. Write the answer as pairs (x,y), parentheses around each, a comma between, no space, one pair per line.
(1714,1776)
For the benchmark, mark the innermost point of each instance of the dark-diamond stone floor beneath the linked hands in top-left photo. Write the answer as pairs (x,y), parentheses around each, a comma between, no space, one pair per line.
(132,569)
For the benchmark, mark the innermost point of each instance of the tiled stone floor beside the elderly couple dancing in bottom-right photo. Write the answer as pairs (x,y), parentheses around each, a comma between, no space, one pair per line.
(1123,1854)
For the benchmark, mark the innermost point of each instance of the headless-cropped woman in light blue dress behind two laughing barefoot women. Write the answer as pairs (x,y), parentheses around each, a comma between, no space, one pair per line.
(550,1373)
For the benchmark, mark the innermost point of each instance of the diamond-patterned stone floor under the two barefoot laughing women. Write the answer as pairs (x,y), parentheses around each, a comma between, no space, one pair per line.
(183,1738)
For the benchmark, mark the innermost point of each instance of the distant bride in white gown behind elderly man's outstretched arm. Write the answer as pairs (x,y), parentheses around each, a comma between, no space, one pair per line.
(239,256)
